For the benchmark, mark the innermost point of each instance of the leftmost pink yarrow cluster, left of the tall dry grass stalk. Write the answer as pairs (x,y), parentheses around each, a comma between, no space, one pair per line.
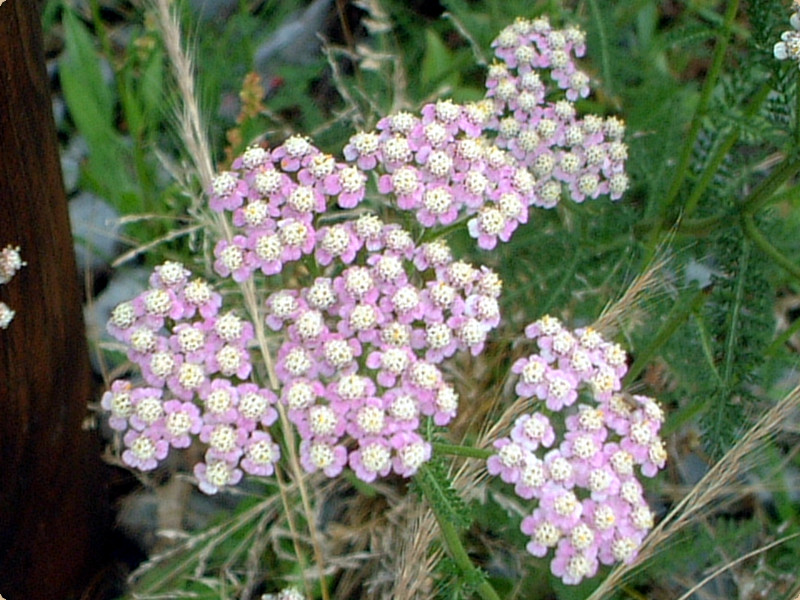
(196,366)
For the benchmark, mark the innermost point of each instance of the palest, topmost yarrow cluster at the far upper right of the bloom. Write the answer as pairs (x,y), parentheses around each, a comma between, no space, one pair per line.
(540,127)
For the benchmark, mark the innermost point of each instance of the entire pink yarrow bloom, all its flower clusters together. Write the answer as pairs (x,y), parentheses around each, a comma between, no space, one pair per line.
(374,315)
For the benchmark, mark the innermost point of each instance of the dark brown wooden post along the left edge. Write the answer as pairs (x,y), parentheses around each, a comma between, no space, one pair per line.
(53,511)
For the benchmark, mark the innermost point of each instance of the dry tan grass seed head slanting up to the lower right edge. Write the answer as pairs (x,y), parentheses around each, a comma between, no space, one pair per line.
(710,489)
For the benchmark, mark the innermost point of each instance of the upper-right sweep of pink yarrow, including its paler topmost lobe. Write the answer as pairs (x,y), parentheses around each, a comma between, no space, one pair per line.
(490,161)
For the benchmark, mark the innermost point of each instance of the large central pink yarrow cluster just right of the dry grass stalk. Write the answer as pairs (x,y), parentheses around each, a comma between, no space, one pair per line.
(359,366)
